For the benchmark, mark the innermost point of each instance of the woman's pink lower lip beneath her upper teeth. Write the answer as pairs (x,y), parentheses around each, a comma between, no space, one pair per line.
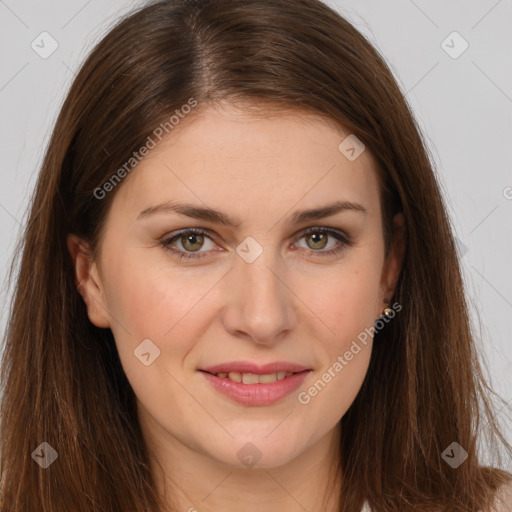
(257,394)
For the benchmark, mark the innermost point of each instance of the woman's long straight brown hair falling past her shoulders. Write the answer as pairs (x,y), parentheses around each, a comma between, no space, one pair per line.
(62,378)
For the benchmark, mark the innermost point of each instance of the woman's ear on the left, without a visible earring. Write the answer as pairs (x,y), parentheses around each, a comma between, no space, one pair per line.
(88,281)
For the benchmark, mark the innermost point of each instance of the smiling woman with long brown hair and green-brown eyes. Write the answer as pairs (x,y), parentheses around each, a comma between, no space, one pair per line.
(238,285)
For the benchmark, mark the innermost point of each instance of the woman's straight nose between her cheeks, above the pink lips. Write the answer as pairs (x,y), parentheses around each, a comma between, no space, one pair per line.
(260,305)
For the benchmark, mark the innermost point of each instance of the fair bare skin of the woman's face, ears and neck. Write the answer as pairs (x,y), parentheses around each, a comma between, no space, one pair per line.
(290,304)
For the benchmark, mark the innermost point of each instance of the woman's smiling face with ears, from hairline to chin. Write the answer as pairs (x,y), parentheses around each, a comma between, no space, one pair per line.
(257,291)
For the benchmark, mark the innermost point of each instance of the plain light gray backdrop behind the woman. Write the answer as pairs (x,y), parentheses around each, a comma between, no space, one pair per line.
(463,104)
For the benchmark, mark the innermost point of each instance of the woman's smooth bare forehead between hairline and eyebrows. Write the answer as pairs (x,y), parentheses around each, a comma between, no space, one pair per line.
(230,158)
